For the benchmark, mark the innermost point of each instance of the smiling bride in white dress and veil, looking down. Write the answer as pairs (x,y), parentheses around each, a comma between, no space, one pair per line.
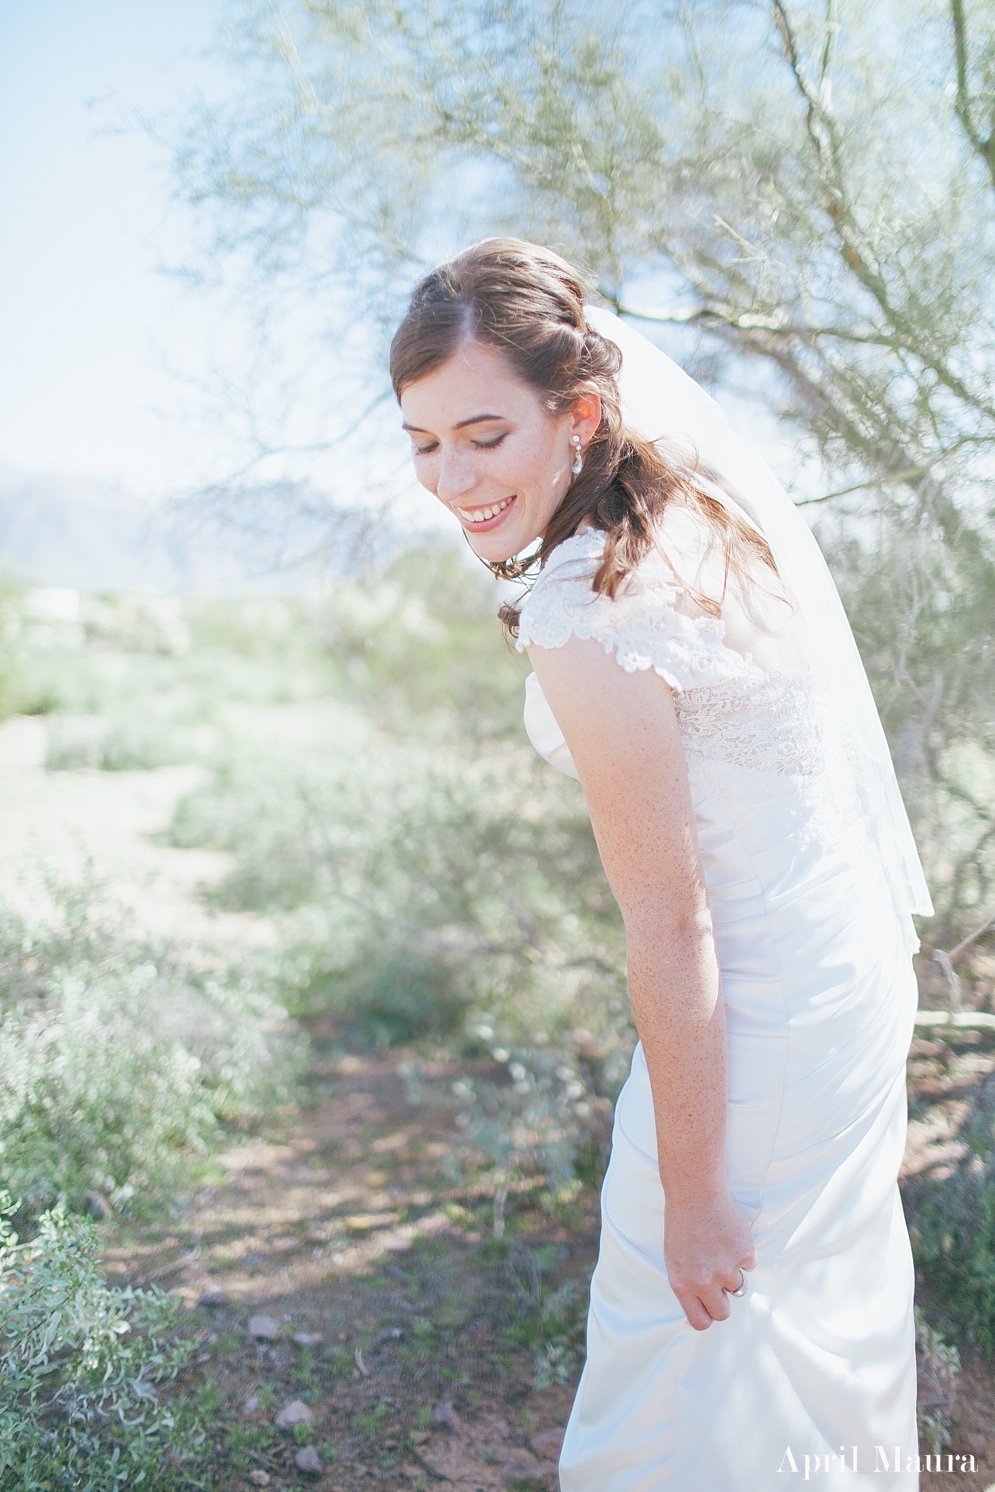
(753,1305)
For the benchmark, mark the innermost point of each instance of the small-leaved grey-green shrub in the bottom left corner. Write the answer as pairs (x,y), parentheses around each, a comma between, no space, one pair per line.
(84,1369)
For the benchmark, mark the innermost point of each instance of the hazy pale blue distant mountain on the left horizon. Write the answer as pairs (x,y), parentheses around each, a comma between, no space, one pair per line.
(93,536)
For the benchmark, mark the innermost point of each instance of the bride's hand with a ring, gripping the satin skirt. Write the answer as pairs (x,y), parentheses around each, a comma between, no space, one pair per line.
(706,1244)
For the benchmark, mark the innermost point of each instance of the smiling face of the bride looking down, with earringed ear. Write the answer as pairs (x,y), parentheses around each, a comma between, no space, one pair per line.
(486,445)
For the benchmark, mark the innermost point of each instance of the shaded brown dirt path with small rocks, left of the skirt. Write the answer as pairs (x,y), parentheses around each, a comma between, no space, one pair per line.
(386,1303)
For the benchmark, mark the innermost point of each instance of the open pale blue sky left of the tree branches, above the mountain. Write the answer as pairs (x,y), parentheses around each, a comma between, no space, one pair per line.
(95,339)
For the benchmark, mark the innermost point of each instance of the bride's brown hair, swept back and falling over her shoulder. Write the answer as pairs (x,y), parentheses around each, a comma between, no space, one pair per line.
(529,304)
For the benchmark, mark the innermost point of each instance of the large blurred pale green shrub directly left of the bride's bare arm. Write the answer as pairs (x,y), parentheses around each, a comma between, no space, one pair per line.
(453,899)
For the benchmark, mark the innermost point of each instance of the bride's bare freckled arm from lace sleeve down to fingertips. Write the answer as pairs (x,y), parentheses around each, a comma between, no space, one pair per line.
(624,739)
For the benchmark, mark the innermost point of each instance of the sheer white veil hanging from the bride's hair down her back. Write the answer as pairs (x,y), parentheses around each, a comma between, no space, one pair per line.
(663,404)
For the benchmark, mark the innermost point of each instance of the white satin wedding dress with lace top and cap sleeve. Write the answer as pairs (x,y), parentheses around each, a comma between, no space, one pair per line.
(818,1360)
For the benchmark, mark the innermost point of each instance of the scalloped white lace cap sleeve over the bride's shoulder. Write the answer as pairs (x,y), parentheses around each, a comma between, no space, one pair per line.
(644,627)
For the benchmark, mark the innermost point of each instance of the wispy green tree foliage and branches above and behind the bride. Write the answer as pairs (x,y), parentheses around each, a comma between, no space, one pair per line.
(808,186)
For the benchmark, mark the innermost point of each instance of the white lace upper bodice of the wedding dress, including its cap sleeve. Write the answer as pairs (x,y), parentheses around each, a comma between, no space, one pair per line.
(730,709)
